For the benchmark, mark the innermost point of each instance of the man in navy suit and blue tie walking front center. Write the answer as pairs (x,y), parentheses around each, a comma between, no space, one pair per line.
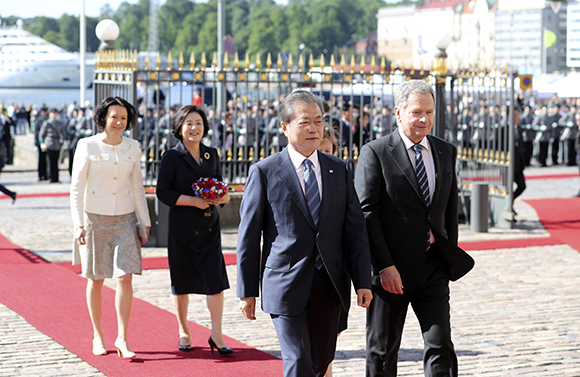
(309,247)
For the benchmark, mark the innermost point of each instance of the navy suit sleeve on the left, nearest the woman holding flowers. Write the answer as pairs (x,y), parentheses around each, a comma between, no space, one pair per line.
(248,251)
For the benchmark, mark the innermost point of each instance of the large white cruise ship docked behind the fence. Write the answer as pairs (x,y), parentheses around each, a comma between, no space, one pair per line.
(28,61)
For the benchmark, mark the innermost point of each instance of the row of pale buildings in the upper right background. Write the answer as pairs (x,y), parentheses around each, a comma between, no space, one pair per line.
(529,35)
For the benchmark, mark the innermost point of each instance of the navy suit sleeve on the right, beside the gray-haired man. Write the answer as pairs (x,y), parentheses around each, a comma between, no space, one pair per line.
(356,238)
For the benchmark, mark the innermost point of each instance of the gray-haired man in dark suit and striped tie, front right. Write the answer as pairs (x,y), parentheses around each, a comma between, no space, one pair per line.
(407,187)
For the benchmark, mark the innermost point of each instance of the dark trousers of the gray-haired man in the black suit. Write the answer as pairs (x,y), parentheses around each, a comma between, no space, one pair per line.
(386,319)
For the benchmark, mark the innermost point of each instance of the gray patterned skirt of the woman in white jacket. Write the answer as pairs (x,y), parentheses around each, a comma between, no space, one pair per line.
(112,249)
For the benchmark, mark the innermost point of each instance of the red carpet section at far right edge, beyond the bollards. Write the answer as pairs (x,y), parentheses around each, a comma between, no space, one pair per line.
(560,217)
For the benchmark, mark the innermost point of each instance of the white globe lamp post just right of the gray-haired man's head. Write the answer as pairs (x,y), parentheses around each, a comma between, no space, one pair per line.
(440,81)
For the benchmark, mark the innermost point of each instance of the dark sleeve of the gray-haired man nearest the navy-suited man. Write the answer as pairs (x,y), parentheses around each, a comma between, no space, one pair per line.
(369,183)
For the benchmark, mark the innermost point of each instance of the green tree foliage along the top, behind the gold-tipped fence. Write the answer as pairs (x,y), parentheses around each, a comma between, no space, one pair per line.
(257,26)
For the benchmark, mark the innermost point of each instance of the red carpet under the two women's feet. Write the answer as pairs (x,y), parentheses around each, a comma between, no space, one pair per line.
(52,299)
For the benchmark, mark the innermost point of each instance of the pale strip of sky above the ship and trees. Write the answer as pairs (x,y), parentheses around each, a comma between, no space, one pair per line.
(56,8)
